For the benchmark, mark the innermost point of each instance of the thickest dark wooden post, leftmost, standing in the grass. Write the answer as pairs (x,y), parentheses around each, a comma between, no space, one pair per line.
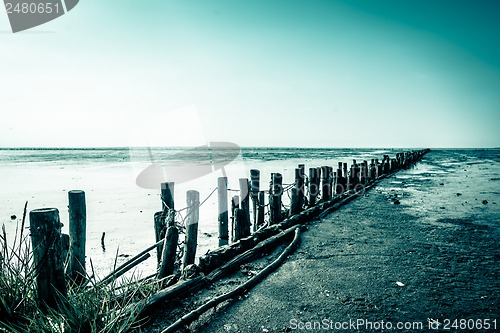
(45,228)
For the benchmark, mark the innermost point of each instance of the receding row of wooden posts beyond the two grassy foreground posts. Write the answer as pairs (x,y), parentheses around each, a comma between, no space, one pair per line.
(323,183)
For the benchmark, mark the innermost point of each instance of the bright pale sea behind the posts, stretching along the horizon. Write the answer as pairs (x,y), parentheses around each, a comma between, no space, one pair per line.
(122,187)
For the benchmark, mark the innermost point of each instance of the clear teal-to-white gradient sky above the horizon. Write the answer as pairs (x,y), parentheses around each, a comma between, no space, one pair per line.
(288,73)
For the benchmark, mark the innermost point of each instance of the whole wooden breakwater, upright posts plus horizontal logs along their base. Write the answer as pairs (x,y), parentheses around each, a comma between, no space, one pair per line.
(247,226)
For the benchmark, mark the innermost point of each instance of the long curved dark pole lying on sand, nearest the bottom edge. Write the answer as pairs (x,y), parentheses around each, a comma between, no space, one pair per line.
(195,314)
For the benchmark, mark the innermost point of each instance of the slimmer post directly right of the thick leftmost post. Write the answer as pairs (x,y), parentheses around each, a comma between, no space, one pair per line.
(77,233)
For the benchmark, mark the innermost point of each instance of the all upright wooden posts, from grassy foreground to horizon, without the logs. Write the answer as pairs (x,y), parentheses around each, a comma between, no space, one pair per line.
(50,247)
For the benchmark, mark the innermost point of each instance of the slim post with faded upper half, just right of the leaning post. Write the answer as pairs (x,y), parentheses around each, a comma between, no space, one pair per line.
(192,217)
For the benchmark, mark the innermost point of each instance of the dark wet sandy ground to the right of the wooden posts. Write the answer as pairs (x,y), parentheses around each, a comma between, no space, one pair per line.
(431,262)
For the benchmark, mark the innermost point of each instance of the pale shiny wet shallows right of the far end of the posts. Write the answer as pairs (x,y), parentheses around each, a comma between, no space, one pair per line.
(450,187)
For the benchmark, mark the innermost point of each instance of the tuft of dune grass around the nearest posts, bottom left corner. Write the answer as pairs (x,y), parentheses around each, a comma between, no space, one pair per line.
(107,308)
